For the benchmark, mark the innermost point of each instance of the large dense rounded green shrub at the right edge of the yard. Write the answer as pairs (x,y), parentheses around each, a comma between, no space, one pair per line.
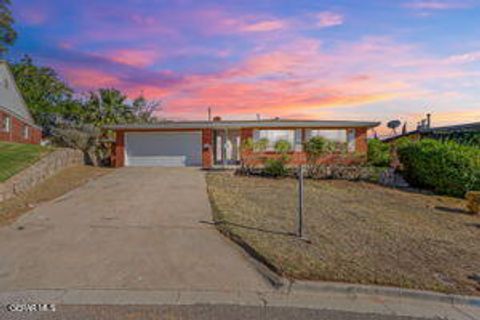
(444,167)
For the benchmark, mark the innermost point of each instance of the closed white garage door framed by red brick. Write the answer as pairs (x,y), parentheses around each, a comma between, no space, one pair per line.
(166,149)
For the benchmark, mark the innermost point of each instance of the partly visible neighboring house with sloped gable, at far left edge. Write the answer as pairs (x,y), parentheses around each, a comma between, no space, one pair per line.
(16,122)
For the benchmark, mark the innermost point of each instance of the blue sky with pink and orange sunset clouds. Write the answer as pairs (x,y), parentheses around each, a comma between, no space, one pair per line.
(343,59)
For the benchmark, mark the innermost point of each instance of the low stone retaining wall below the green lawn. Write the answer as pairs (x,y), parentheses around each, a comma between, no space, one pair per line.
(39,171)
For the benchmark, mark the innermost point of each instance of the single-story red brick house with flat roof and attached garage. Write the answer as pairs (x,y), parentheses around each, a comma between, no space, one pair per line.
(217,143)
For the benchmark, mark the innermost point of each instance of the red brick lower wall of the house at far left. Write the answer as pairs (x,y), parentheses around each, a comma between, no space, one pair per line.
(16,133)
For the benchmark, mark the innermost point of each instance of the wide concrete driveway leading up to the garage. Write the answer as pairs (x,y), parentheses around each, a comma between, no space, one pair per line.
(136,228)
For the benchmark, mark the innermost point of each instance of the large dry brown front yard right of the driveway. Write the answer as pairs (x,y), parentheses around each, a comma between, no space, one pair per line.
(359,232)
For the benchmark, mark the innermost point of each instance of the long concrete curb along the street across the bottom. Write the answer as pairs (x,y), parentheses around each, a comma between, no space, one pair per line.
(339,301)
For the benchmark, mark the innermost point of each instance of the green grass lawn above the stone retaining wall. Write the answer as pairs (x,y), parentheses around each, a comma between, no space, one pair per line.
(14,157)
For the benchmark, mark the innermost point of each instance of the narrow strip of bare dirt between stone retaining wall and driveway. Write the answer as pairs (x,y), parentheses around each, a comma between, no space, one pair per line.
(64,181)
